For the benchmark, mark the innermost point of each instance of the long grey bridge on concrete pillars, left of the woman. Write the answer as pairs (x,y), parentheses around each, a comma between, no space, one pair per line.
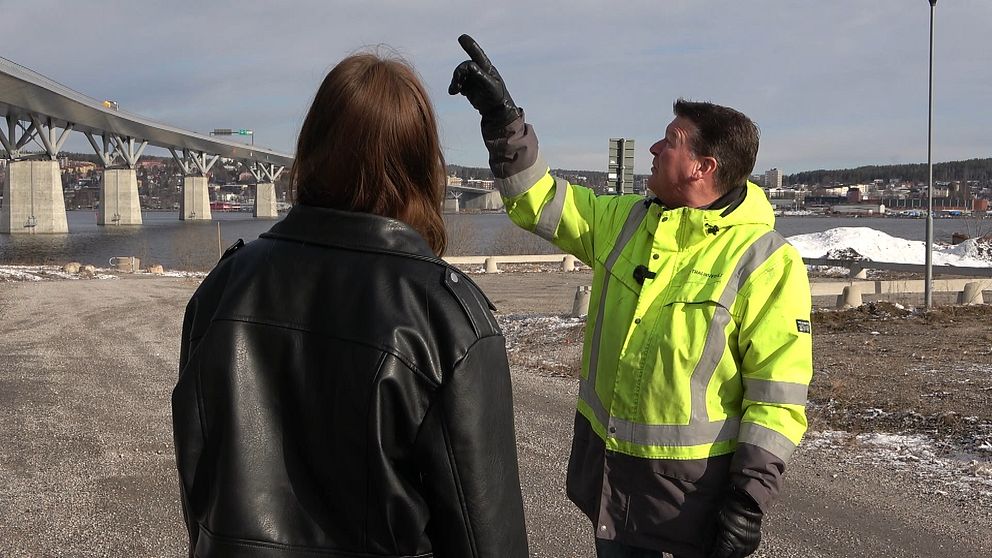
(40,110)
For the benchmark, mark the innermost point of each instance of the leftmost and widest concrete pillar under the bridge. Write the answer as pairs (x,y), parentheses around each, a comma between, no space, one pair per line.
(32,199)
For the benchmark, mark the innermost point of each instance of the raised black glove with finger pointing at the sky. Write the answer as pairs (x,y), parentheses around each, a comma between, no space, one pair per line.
(478,80)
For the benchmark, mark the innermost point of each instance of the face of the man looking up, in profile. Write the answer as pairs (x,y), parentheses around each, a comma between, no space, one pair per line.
(673,165)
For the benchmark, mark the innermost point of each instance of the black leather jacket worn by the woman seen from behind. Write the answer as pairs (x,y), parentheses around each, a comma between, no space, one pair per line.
(344,393)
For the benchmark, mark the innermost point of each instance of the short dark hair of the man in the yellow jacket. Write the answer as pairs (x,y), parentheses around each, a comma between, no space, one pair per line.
(724,134)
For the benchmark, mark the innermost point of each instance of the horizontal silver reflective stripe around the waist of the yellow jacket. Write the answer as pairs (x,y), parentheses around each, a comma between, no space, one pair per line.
(693,434)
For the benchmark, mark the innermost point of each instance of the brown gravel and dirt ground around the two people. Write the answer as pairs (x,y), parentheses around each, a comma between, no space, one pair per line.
(87,467)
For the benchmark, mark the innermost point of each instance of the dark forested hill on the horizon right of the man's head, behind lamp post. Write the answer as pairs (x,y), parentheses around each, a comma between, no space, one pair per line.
(971,169)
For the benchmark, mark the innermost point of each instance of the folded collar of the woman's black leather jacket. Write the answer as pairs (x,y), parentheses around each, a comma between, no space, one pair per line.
(349,229)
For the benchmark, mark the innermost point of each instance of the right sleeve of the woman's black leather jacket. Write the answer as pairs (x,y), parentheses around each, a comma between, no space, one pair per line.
(467,446)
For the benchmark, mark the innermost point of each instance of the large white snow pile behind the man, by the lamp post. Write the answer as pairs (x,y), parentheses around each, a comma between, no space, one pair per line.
(865,243)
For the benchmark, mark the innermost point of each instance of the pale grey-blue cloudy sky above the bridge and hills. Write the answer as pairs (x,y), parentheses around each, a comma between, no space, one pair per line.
(830,83)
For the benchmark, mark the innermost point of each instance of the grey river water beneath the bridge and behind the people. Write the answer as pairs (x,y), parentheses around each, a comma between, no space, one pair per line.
(193,245)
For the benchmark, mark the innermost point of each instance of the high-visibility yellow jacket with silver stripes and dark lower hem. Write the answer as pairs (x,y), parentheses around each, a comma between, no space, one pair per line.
(697,342)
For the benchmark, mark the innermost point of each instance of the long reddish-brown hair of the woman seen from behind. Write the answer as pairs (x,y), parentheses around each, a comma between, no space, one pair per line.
(370,144)
